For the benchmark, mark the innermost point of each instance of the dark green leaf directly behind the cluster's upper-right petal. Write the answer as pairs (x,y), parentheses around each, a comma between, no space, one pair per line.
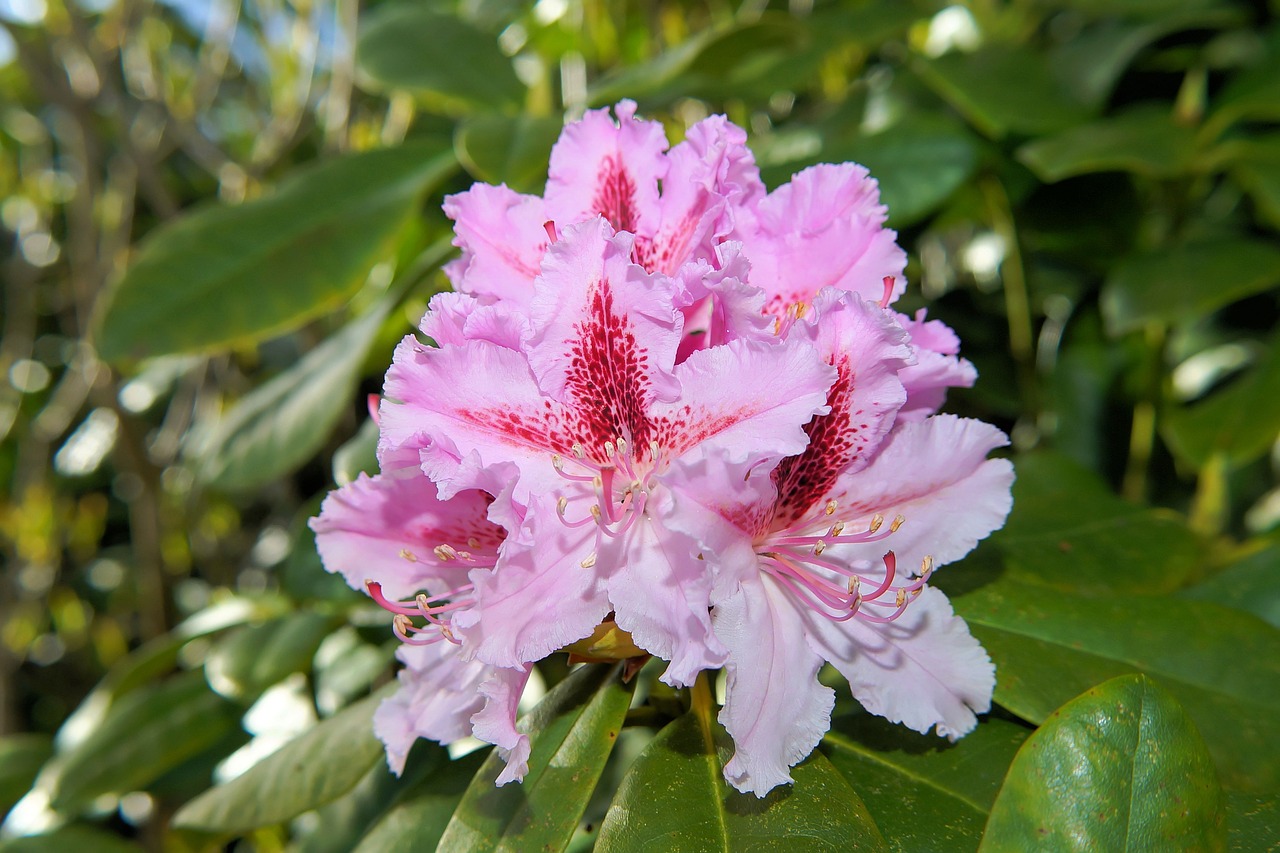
(918,163)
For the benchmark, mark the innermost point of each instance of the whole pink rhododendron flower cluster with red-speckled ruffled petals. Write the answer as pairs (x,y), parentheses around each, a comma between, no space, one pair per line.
(666,402)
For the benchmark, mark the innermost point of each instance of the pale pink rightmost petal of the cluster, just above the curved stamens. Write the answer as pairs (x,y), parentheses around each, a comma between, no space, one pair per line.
(938,477)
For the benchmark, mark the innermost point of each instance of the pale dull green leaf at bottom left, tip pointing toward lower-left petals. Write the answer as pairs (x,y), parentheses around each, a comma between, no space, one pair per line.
(309,772)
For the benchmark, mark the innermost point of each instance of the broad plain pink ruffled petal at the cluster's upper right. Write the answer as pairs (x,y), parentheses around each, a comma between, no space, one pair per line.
(825,229)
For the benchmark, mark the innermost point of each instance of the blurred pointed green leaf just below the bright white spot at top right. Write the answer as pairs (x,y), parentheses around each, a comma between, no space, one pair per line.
(1004,90)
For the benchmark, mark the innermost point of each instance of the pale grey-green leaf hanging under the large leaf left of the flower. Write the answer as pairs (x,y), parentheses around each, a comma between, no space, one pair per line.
(272,431)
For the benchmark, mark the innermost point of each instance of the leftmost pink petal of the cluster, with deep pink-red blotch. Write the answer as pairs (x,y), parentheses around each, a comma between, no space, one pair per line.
(387,528)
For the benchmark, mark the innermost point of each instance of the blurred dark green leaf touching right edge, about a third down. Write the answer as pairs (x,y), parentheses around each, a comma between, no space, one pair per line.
(1187,282)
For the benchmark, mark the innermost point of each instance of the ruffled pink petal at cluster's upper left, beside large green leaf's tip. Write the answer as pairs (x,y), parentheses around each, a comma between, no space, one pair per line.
(502,240)
